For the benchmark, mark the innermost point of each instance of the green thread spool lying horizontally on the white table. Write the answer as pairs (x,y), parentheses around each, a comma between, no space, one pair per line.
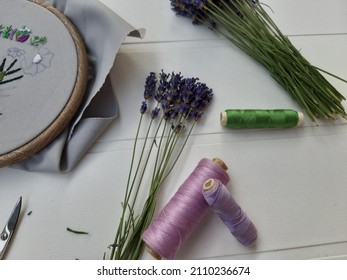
(252,118)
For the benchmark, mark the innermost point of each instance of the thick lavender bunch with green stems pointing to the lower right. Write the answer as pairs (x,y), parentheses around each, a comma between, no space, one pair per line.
(247,25)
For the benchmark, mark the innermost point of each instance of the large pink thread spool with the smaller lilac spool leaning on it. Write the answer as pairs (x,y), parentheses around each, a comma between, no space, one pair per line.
(177,220)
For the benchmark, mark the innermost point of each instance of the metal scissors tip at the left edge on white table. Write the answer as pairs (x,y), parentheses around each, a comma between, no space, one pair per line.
(6,234)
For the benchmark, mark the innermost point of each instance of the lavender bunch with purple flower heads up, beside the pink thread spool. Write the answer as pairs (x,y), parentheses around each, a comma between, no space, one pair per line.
(174,105)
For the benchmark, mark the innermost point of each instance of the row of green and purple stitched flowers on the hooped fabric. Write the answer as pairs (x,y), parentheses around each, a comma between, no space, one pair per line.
(21,35)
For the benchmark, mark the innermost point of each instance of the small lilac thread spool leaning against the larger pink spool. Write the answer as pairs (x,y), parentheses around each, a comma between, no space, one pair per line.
(222,203)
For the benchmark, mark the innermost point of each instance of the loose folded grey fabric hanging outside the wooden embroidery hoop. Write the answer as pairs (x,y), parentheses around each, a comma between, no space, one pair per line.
(103,32)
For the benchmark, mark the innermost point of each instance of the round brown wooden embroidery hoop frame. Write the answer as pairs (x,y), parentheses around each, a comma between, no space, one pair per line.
(72,105)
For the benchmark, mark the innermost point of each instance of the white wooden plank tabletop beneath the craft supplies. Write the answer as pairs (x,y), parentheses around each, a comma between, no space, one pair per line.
(292,183)
